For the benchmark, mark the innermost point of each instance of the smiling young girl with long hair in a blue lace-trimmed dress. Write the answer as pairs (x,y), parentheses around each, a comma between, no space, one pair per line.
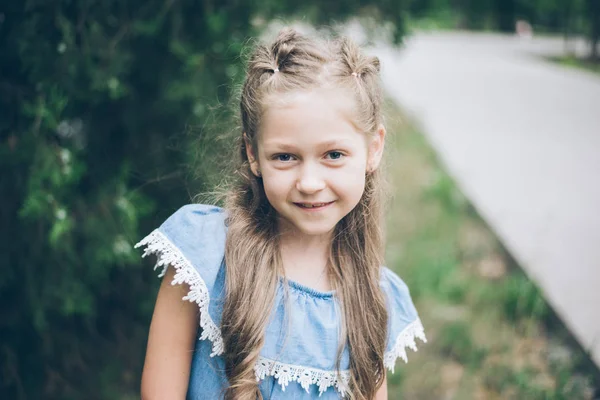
(287,280)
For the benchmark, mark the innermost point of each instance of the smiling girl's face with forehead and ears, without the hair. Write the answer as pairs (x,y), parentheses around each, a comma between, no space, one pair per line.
(313,160)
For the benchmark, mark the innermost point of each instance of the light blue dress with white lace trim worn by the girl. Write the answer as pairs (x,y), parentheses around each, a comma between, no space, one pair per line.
(297,360)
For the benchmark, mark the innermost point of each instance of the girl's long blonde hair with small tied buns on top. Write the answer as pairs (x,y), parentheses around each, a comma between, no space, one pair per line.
(295,62)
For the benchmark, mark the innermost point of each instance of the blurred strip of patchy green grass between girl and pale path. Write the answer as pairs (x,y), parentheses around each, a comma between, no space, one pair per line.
(491,334)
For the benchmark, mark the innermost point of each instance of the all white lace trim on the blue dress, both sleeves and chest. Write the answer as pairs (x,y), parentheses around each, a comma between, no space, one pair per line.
(168,254)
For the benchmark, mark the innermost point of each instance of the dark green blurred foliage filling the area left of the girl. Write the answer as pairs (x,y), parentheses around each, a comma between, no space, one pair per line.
(108,124)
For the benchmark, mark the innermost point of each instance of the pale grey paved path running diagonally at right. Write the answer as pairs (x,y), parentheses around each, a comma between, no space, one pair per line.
(521,136)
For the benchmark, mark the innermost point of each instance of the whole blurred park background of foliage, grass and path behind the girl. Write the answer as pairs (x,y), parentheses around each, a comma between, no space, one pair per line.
(115,113)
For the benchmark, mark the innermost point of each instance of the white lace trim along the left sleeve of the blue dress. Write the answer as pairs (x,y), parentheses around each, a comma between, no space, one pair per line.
(168,254)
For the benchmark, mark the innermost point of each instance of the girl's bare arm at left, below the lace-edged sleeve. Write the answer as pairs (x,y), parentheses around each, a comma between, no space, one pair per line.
(170,343)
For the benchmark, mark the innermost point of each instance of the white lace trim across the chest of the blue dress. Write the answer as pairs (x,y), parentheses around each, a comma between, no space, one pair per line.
(305,376)
